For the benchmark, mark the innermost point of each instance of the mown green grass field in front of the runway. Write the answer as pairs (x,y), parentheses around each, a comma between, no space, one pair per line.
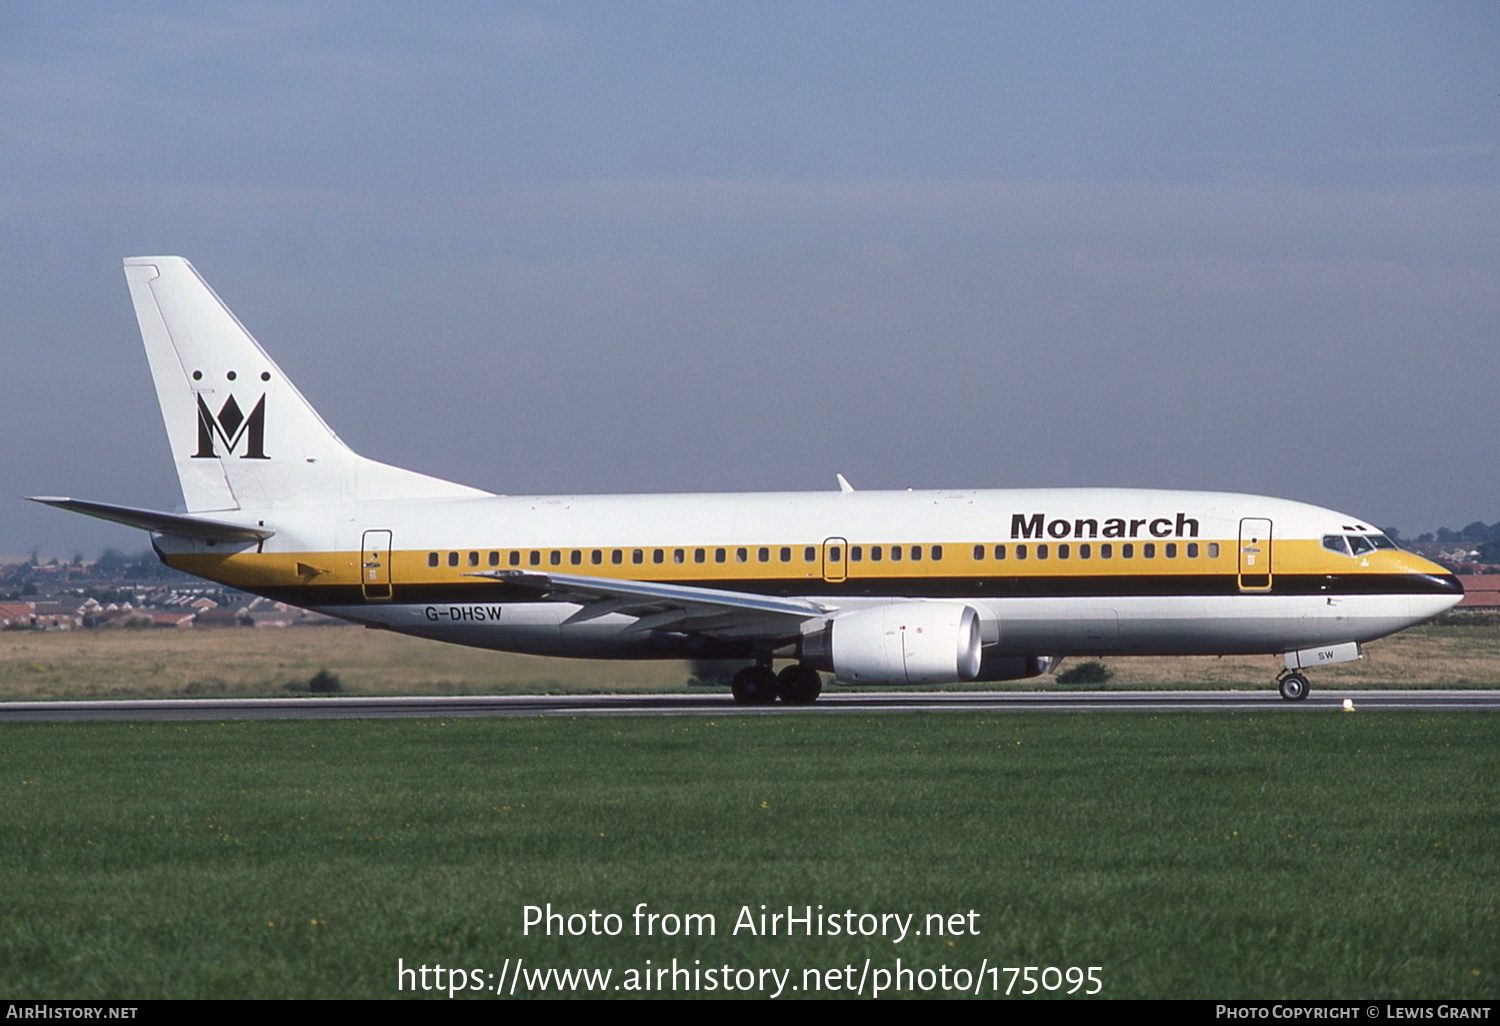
(1196,856)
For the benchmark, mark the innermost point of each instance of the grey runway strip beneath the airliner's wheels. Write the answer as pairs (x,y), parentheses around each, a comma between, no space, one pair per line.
(721,704)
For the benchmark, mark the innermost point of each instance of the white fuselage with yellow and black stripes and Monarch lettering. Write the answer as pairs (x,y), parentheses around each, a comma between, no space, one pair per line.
(1064,604)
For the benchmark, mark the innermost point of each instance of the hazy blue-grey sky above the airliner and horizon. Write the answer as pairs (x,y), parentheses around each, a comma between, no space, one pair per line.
(679,247)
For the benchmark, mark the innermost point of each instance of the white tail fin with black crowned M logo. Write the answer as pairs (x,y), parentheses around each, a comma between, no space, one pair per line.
(242,434)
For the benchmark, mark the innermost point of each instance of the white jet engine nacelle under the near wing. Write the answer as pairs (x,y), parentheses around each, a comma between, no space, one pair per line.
(911,643)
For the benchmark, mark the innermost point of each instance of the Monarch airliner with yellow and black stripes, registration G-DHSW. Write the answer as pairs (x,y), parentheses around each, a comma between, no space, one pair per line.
(872,587)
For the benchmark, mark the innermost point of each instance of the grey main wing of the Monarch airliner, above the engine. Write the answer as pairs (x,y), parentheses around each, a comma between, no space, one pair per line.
(664,607)
